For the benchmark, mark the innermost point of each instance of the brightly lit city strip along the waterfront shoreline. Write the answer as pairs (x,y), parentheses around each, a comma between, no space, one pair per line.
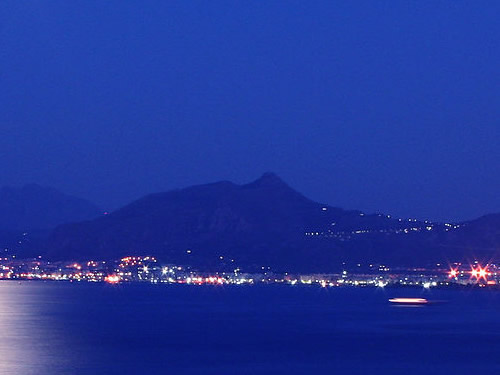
(147,269)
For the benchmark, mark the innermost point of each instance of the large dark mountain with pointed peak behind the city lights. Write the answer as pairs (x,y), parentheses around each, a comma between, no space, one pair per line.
(263,224)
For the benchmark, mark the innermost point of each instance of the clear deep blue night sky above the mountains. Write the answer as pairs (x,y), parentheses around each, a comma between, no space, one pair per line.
(381,106)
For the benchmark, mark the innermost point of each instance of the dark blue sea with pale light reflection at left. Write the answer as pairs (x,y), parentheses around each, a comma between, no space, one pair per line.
(60,328)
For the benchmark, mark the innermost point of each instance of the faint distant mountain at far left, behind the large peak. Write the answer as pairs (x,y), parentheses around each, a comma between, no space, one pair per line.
(33,207)
